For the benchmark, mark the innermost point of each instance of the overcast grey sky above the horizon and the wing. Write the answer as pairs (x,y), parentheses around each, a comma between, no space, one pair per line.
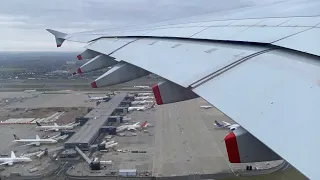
(23,23)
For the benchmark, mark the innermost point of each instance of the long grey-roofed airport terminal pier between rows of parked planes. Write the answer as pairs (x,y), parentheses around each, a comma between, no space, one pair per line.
(98,117)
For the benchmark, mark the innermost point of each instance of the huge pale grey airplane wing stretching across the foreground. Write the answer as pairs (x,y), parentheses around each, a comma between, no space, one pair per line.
(258,65)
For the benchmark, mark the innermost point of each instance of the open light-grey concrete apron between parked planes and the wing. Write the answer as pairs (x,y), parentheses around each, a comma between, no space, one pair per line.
(185,142)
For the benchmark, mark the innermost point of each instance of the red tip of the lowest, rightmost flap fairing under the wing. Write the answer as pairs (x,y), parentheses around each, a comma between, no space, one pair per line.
(232,148)
